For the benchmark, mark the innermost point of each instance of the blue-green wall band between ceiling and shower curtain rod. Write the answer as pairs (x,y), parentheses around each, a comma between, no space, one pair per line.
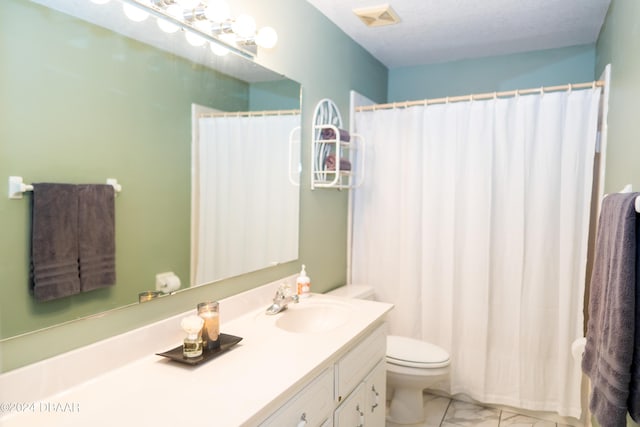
(498,73)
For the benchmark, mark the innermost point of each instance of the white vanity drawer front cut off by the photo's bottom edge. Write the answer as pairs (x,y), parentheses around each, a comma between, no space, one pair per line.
(312,404)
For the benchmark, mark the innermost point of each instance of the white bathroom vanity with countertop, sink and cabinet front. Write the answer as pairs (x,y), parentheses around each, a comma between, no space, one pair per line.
(318,363)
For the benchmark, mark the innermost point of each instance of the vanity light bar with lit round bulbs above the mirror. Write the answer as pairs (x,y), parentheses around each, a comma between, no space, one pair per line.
(203,21)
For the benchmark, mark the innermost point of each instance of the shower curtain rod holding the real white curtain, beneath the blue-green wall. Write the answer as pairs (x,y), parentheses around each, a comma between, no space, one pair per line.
(481,96)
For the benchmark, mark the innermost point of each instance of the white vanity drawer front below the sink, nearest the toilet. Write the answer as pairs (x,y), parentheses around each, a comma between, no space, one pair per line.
(356,365)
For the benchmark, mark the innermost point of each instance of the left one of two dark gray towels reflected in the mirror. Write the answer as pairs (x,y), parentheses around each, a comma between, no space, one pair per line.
(54,241)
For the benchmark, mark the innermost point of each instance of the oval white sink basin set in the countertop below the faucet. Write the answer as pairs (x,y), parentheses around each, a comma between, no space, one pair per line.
(310,316)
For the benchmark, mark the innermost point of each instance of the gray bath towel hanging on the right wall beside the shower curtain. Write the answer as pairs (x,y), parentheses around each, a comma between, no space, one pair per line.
(611,329)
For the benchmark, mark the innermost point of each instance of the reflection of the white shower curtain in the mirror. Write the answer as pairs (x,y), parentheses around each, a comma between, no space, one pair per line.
(246,202)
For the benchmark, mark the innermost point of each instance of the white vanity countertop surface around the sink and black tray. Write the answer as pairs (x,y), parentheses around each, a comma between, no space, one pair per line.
(239,388)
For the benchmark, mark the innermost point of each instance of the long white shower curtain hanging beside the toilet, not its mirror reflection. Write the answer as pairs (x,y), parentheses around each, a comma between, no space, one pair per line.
(474,223)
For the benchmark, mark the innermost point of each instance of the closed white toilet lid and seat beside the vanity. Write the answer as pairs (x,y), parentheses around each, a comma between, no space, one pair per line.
(405,351)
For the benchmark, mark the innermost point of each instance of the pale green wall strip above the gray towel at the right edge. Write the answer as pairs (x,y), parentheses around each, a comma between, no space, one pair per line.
(619,45)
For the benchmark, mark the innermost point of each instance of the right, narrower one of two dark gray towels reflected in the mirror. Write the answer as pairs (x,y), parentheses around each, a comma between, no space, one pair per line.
(96,237)
